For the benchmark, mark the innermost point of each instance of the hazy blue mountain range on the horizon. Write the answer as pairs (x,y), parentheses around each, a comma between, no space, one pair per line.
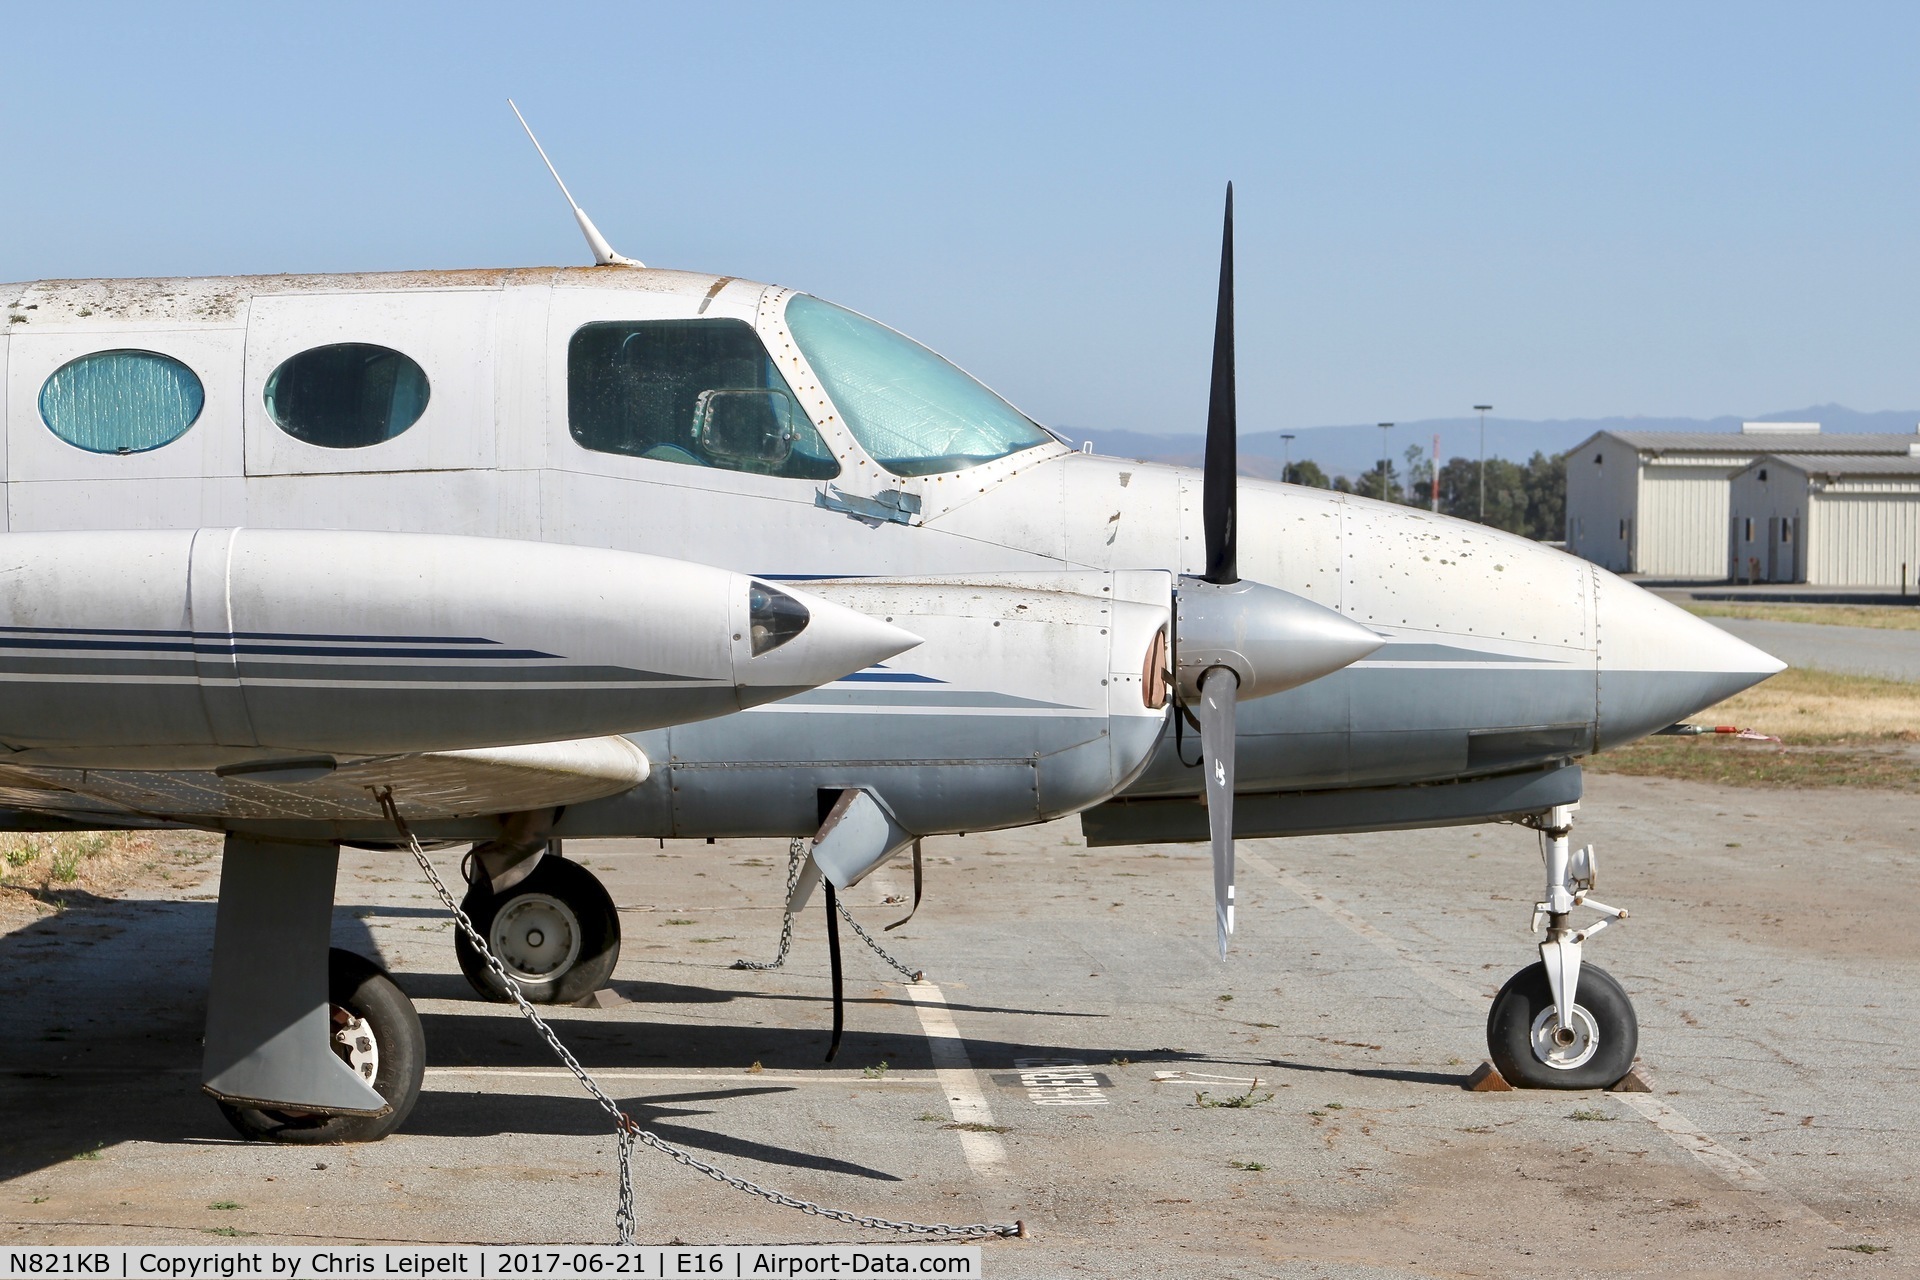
(1355,450)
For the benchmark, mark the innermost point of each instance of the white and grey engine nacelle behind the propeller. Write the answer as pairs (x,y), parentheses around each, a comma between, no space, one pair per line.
(1032,698)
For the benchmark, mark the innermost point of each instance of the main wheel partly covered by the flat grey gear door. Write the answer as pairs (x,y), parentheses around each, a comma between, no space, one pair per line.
(379,1035)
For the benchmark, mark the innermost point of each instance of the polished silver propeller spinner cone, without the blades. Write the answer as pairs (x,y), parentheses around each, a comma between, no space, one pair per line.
(1272,640)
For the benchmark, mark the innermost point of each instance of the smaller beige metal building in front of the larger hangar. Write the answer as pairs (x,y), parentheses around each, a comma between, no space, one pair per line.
(1844,521)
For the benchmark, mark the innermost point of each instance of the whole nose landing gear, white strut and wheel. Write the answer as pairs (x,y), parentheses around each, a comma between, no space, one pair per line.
(1560,1024)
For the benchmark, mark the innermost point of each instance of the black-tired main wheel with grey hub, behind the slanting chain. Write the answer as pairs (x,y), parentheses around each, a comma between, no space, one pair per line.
(556,934)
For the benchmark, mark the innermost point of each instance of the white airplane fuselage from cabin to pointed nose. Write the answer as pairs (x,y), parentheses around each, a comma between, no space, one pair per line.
(1500,655)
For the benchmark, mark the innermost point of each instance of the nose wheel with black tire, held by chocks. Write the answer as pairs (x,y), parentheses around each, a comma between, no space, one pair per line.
(1520,1031)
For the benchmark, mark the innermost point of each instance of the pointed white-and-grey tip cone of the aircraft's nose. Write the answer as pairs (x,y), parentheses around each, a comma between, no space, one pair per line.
(1660,665)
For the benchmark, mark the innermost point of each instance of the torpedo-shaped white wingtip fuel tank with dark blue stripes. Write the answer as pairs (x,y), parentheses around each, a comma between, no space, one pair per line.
(220,646)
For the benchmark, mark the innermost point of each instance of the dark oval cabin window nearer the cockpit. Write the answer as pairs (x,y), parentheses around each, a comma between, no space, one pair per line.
(347,396)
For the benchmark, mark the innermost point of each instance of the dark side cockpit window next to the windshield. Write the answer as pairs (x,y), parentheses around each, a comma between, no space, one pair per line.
(698,392)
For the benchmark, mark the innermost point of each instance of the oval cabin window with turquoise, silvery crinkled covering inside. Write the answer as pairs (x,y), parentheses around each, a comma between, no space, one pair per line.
(122,402)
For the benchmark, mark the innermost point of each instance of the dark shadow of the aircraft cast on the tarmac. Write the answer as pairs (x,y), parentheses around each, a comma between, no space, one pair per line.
(132,1074)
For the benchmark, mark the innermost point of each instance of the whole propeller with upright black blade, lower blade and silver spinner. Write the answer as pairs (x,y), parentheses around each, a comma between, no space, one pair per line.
(1241,640)
